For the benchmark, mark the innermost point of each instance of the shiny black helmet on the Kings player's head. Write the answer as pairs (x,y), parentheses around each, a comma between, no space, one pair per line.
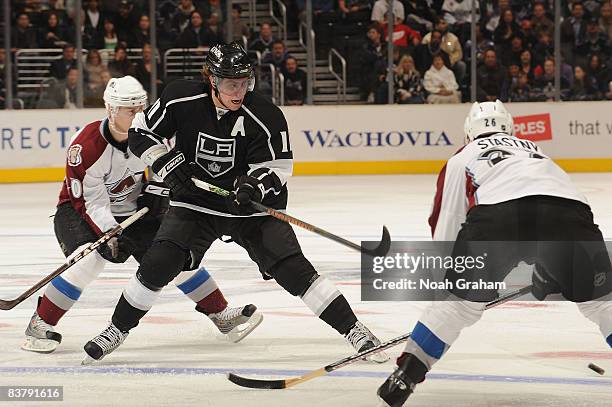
(229,61)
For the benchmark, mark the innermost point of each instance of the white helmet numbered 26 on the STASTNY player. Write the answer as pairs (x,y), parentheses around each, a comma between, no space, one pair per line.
(486,118)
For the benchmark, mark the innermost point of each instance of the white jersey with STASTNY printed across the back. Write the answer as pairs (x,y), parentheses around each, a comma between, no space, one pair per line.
(491,170)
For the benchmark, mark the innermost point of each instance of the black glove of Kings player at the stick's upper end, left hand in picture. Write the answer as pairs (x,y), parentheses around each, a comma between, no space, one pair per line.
(176,173)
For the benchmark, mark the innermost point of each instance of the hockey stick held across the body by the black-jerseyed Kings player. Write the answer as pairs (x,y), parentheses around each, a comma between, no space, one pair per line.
(381,250)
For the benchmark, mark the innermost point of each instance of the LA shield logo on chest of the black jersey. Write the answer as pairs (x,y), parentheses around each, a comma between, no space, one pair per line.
(215,155)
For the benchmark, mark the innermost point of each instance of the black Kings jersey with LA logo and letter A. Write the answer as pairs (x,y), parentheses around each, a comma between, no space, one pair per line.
(224,144)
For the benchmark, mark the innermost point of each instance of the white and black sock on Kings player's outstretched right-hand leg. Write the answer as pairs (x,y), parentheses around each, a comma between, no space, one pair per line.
(324,299)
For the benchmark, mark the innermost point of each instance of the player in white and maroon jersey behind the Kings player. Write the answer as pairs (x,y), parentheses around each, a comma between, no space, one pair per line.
(104,184)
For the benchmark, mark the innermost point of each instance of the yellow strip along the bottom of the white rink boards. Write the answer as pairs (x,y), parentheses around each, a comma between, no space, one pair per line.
(16,175)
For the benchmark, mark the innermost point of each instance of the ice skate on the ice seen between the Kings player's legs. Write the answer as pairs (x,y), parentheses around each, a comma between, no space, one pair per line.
(236,323)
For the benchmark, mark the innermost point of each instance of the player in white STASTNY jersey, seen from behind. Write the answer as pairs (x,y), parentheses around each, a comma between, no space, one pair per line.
(501,188)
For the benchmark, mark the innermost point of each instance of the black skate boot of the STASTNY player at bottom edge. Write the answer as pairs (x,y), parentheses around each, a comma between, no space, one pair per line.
(399,386)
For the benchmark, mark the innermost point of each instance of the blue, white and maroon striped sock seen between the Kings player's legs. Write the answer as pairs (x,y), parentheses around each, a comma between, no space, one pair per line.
(202,289)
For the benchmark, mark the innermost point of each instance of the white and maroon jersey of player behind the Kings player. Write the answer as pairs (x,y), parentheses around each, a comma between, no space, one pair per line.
(103,178)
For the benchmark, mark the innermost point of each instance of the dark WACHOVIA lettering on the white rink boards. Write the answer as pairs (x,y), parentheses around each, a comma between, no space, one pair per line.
(395,138)
